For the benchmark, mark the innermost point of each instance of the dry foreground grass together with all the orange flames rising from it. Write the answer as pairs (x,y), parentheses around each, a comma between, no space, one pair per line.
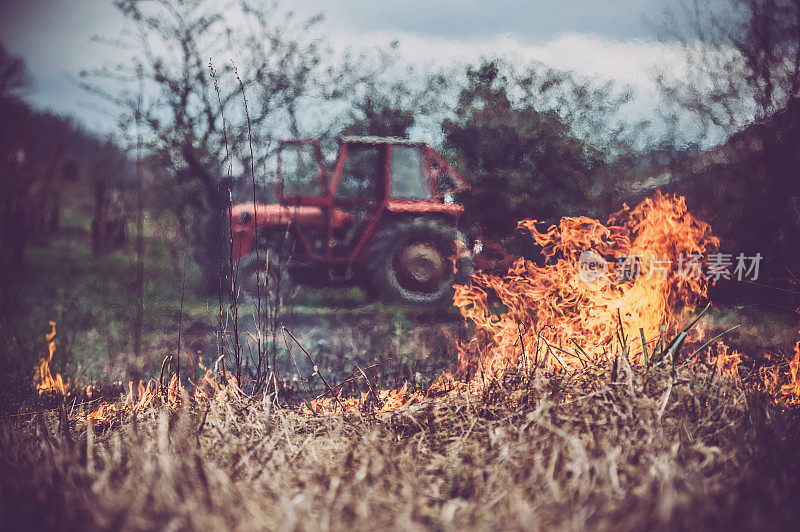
(555,418)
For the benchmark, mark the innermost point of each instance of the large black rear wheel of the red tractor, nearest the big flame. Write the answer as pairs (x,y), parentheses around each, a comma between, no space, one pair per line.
(418,261)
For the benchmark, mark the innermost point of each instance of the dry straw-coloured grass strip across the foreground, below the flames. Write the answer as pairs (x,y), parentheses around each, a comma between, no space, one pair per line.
(690,450)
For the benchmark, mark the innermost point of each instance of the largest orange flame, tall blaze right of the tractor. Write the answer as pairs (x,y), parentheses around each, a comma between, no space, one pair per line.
(594,277)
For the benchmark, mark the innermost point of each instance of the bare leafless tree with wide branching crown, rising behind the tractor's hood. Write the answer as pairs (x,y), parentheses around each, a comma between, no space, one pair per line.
(287,70)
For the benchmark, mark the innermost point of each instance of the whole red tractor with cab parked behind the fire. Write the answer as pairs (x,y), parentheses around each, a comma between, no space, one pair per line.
(383,216)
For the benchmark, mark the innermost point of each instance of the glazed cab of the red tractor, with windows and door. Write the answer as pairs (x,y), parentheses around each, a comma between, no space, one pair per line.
(371,177)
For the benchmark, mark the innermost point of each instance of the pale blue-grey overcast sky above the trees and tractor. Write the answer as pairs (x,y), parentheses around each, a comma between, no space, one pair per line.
(595,37)
